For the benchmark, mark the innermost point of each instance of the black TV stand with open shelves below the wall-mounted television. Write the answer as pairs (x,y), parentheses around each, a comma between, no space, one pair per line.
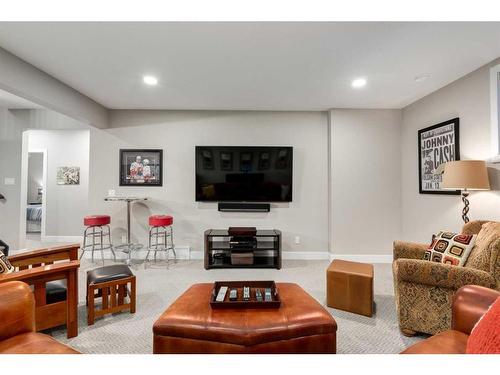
(266,251)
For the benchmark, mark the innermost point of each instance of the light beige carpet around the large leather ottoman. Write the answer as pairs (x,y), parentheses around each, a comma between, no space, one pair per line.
(158,286)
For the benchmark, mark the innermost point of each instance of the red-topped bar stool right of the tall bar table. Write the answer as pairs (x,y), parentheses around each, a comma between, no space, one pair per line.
(161,234)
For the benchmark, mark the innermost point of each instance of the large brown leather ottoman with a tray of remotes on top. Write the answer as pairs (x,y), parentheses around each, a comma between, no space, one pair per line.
(190,325)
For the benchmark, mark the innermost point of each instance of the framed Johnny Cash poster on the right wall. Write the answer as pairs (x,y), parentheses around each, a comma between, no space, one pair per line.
(437,144)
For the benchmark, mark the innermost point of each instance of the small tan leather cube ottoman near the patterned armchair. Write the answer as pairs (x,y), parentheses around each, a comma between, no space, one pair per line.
(349,287)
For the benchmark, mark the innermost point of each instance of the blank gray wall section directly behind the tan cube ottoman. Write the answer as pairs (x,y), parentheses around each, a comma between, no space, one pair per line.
(365,181)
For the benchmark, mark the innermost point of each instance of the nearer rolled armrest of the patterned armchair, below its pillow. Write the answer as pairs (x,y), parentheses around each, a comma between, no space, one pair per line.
(439,274)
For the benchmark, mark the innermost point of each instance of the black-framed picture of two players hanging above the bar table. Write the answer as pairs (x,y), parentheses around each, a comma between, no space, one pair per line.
(154,175)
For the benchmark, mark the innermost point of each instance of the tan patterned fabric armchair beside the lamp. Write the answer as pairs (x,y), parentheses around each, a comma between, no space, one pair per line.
(424,289)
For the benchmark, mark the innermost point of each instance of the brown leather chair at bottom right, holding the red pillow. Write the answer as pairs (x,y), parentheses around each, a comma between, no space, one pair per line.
(470,303)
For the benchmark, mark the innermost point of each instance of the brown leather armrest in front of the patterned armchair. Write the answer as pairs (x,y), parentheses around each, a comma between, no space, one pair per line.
(470,303)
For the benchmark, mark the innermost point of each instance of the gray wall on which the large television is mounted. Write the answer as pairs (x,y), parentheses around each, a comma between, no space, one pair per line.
(177,133)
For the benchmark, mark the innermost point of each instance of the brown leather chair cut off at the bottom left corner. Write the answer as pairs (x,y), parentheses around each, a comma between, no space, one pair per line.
(17,323)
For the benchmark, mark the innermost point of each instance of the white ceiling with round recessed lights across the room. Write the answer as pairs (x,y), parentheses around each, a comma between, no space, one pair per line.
(254,66)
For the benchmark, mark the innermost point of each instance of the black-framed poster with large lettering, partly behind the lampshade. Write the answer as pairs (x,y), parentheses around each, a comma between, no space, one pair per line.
(450,128)
